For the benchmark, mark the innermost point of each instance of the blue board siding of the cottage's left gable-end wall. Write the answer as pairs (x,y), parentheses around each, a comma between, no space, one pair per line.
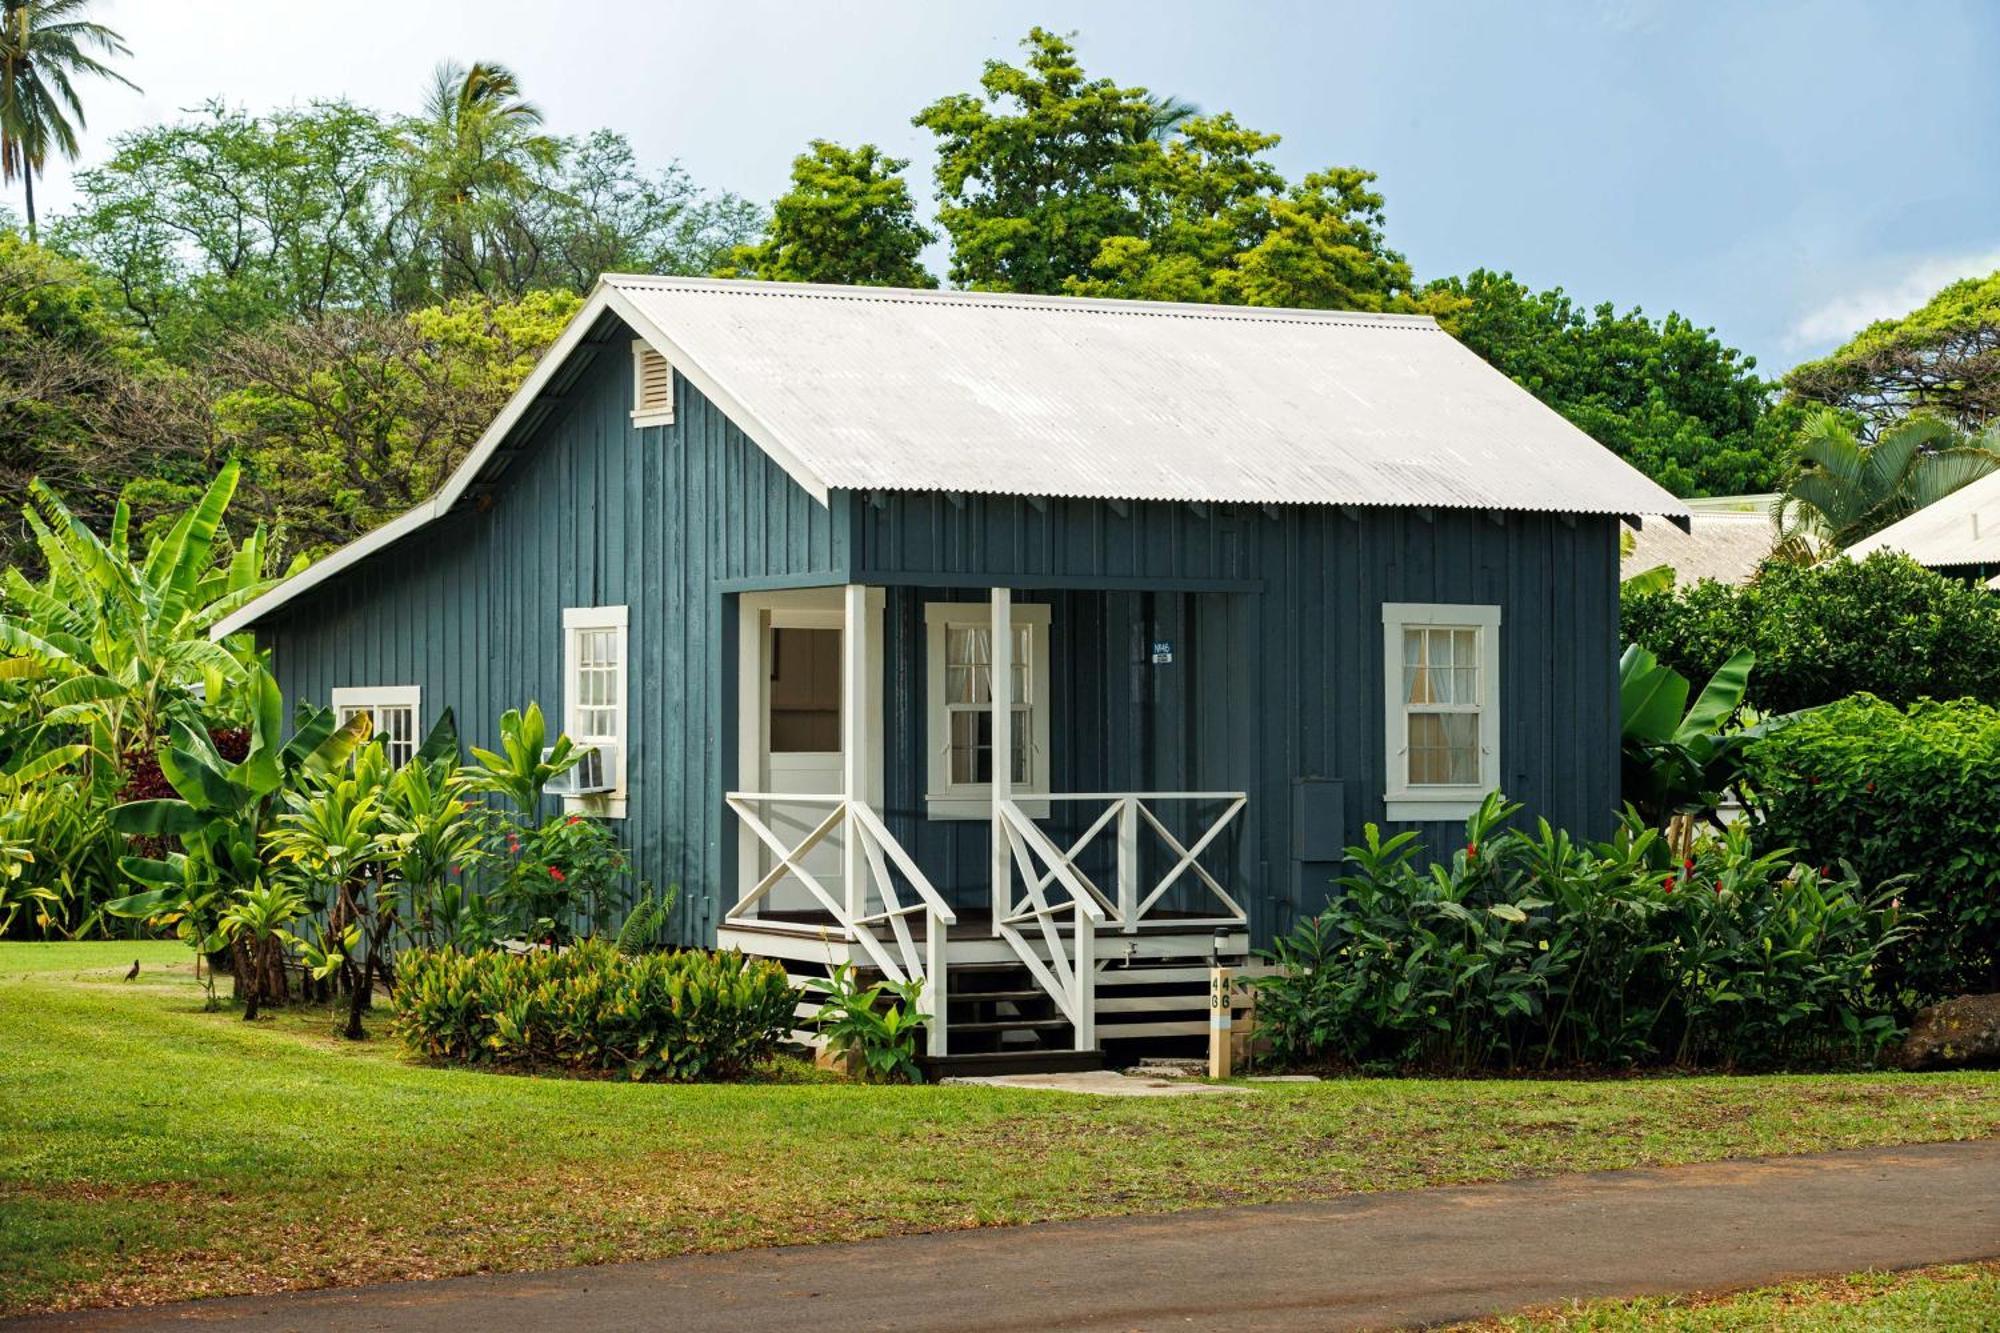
(593,511)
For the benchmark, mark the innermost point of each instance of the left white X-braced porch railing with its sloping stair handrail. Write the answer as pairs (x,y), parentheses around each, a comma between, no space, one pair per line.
(859,916)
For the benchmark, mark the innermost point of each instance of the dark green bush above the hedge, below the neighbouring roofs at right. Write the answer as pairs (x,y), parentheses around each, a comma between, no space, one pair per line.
(1883,625)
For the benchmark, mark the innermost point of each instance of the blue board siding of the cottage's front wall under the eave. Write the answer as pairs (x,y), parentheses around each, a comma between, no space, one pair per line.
(1275,684)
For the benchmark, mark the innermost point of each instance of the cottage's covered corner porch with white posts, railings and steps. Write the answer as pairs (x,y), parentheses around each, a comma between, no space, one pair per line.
(1041,878)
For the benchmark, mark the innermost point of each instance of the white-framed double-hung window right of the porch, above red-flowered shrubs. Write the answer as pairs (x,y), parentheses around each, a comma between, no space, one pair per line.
(1441,668)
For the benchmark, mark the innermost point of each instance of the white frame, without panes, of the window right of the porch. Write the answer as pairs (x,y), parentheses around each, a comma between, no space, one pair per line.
(1417,804)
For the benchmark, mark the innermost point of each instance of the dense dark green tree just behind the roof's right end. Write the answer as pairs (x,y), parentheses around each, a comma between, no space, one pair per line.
(1663,395)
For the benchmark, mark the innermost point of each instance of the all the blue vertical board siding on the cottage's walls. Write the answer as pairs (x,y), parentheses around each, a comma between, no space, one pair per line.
(1275,615)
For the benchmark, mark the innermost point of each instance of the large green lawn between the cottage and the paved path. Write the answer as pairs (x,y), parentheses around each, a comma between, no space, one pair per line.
(155,1152)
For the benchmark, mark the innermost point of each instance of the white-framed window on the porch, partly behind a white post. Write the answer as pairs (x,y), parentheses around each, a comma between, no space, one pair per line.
(961,734)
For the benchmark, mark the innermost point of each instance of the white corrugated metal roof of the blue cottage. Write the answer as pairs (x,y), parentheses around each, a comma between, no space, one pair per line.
(879,389)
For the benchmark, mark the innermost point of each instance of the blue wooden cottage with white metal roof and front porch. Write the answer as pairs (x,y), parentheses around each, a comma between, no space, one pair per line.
(1237,581)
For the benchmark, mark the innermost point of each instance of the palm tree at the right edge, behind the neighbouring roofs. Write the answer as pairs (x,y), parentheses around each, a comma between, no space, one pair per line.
(1843,489)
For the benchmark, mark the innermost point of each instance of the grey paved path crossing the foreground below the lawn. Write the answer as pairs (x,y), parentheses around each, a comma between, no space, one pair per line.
(1351,1264)
